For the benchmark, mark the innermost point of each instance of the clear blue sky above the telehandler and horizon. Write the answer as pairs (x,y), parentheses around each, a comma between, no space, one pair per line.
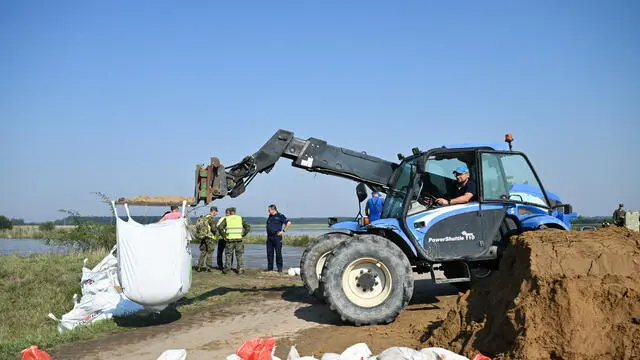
(126,97)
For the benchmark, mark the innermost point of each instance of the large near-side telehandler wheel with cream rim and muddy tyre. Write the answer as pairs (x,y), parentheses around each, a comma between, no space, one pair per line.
(368,280)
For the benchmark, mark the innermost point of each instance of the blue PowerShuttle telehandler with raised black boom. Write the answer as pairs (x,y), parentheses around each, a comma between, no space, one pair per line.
(365,270)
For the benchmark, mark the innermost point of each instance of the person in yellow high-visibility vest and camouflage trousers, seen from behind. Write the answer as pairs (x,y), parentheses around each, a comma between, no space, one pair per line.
(233,228)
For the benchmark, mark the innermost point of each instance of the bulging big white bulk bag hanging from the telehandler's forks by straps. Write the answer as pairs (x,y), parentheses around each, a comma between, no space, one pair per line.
(154,260)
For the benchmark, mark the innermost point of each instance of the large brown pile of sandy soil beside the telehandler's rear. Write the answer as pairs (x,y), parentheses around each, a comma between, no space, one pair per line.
(558,295)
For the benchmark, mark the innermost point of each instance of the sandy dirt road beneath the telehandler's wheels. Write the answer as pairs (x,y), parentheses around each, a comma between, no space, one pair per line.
(213,332)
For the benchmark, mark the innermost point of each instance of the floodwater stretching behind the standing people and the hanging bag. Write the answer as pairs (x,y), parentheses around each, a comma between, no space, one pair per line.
(255,256)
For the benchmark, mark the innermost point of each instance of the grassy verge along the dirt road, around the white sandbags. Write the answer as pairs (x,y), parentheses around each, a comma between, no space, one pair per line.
(33,286)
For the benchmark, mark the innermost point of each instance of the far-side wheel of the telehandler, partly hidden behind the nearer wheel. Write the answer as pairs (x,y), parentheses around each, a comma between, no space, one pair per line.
(313,260)
